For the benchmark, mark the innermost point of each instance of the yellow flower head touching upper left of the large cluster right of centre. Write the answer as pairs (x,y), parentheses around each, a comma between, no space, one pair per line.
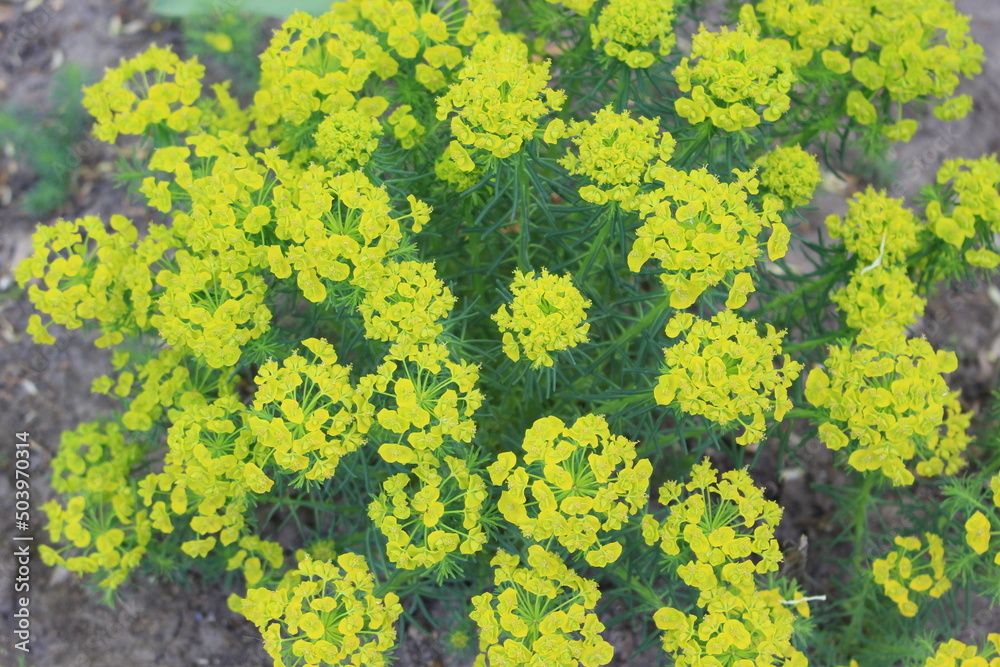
(615,151)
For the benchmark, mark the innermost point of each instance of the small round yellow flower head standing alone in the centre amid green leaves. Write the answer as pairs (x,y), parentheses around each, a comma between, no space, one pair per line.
(547,314)
